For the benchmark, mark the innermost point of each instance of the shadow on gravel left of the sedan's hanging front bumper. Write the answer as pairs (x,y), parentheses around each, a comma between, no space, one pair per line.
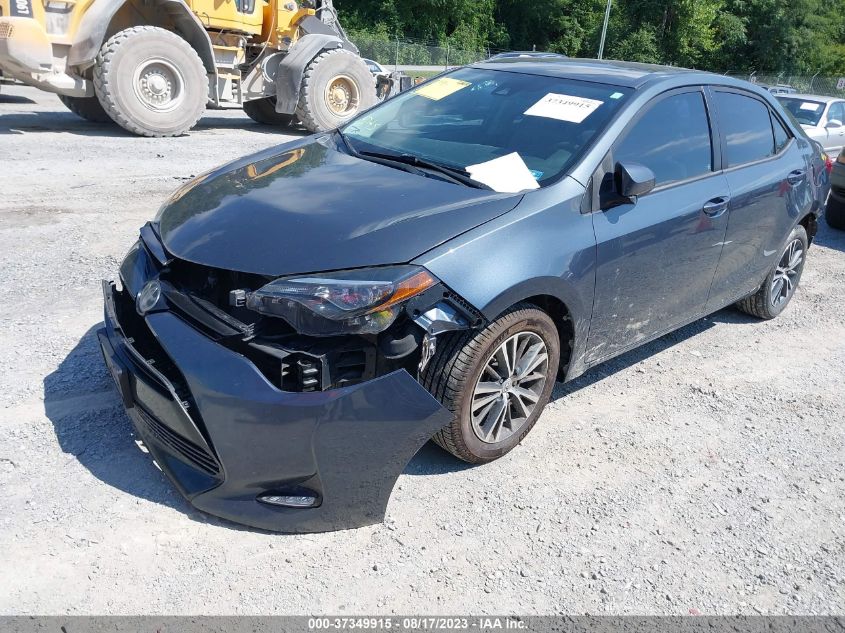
(90,424)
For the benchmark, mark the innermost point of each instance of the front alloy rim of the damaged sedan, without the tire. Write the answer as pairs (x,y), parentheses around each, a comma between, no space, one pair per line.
(509,387)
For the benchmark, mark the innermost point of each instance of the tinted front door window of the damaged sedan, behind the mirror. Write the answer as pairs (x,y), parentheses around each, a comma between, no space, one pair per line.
(672,139)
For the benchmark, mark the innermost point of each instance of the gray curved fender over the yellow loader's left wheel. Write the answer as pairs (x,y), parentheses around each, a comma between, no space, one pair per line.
(104,18)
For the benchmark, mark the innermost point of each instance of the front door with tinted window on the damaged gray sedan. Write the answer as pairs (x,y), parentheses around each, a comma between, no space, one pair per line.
(657,257)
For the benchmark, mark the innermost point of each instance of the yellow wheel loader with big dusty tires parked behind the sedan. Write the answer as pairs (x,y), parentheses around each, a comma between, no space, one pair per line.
(153,66)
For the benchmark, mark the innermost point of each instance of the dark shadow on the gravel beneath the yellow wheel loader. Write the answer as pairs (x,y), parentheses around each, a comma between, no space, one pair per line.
(67,122)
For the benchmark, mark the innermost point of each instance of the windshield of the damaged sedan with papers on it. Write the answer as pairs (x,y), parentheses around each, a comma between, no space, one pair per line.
(536,126)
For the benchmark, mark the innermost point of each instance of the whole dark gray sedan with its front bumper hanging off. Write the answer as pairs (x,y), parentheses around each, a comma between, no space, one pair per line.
(295,325)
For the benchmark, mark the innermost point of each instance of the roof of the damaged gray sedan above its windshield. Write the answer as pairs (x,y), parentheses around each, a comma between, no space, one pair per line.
(627,74)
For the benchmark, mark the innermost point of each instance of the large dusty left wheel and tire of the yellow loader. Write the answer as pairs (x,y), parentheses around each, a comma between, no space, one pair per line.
(151,82)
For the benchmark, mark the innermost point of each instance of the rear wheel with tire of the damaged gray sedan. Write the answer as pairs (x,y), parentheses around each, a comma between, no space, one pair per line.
(771,299)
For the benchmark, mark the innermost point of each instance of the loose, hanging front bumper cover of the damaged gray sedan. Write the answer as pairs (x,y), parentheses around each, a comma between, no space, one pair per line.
(225,436)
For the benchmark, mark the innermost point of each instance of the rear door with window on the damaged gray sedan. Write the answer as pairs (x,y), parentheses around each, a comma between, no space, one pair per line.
(769,172)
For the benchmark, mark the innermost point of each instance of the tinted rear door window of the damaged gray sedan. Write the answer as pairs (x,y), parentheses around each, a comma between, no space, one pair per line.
(747,127)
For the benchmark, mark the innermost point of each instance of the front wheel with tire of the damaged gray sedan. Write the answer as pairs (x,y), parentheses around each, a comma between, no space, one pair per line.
(495,382)
